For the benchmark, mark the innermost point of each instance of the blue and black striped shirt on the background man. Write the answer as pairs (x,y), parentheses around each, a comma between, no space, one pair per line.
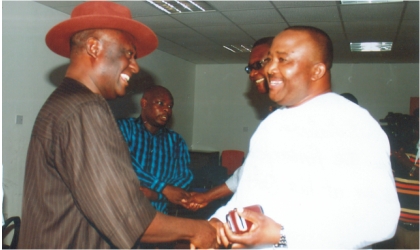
(158,159)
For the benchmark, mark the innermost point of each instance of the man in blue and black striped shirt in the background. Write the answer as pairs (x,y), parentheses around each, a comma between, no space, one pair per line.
(159,155)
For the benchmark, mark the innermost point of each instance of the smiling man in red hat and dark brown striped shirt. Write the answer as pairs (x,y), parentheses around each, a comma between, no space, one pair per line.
(80,189)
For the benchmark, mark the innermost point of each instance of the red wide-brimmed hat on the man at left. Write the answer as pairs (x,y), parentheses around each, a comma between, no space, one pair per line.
(100,15)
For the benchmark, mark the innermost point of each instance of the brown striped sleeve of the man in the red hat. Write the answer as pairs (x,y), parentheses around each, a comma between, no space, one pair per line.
(99,175)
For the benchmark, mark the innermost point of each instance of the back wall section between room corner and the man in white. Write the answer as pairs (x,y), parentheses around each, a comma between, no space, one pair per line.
(224,115)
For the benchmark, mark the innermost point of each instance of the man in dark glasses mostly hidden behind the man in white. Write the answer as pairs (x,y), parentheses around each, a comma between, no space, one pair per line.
(255,70)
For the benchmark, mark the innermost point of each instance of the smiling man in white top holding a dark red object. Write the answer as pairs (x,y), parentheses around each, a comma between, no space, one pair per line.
(319,165)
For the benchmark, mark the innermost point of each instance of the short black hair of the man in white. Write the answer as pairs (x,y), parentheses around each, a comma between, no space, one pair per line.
(322,39)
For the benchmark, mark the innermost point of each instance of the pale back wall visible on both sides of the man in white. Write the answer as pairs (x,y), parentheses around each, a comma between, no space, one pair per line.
(223,107)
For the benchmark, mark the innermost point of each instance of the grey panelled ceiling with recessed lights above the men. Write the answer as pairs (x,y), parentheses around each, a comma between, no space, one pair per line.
(199,37)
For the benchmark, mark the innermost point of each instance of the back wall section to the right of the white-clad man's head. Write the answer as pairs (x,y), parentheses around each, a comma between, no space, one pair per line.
(380,88)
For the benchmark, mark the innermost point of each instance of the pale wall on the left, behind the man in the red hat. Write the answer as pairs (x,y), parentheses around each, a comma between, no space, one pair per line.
(31,72)
